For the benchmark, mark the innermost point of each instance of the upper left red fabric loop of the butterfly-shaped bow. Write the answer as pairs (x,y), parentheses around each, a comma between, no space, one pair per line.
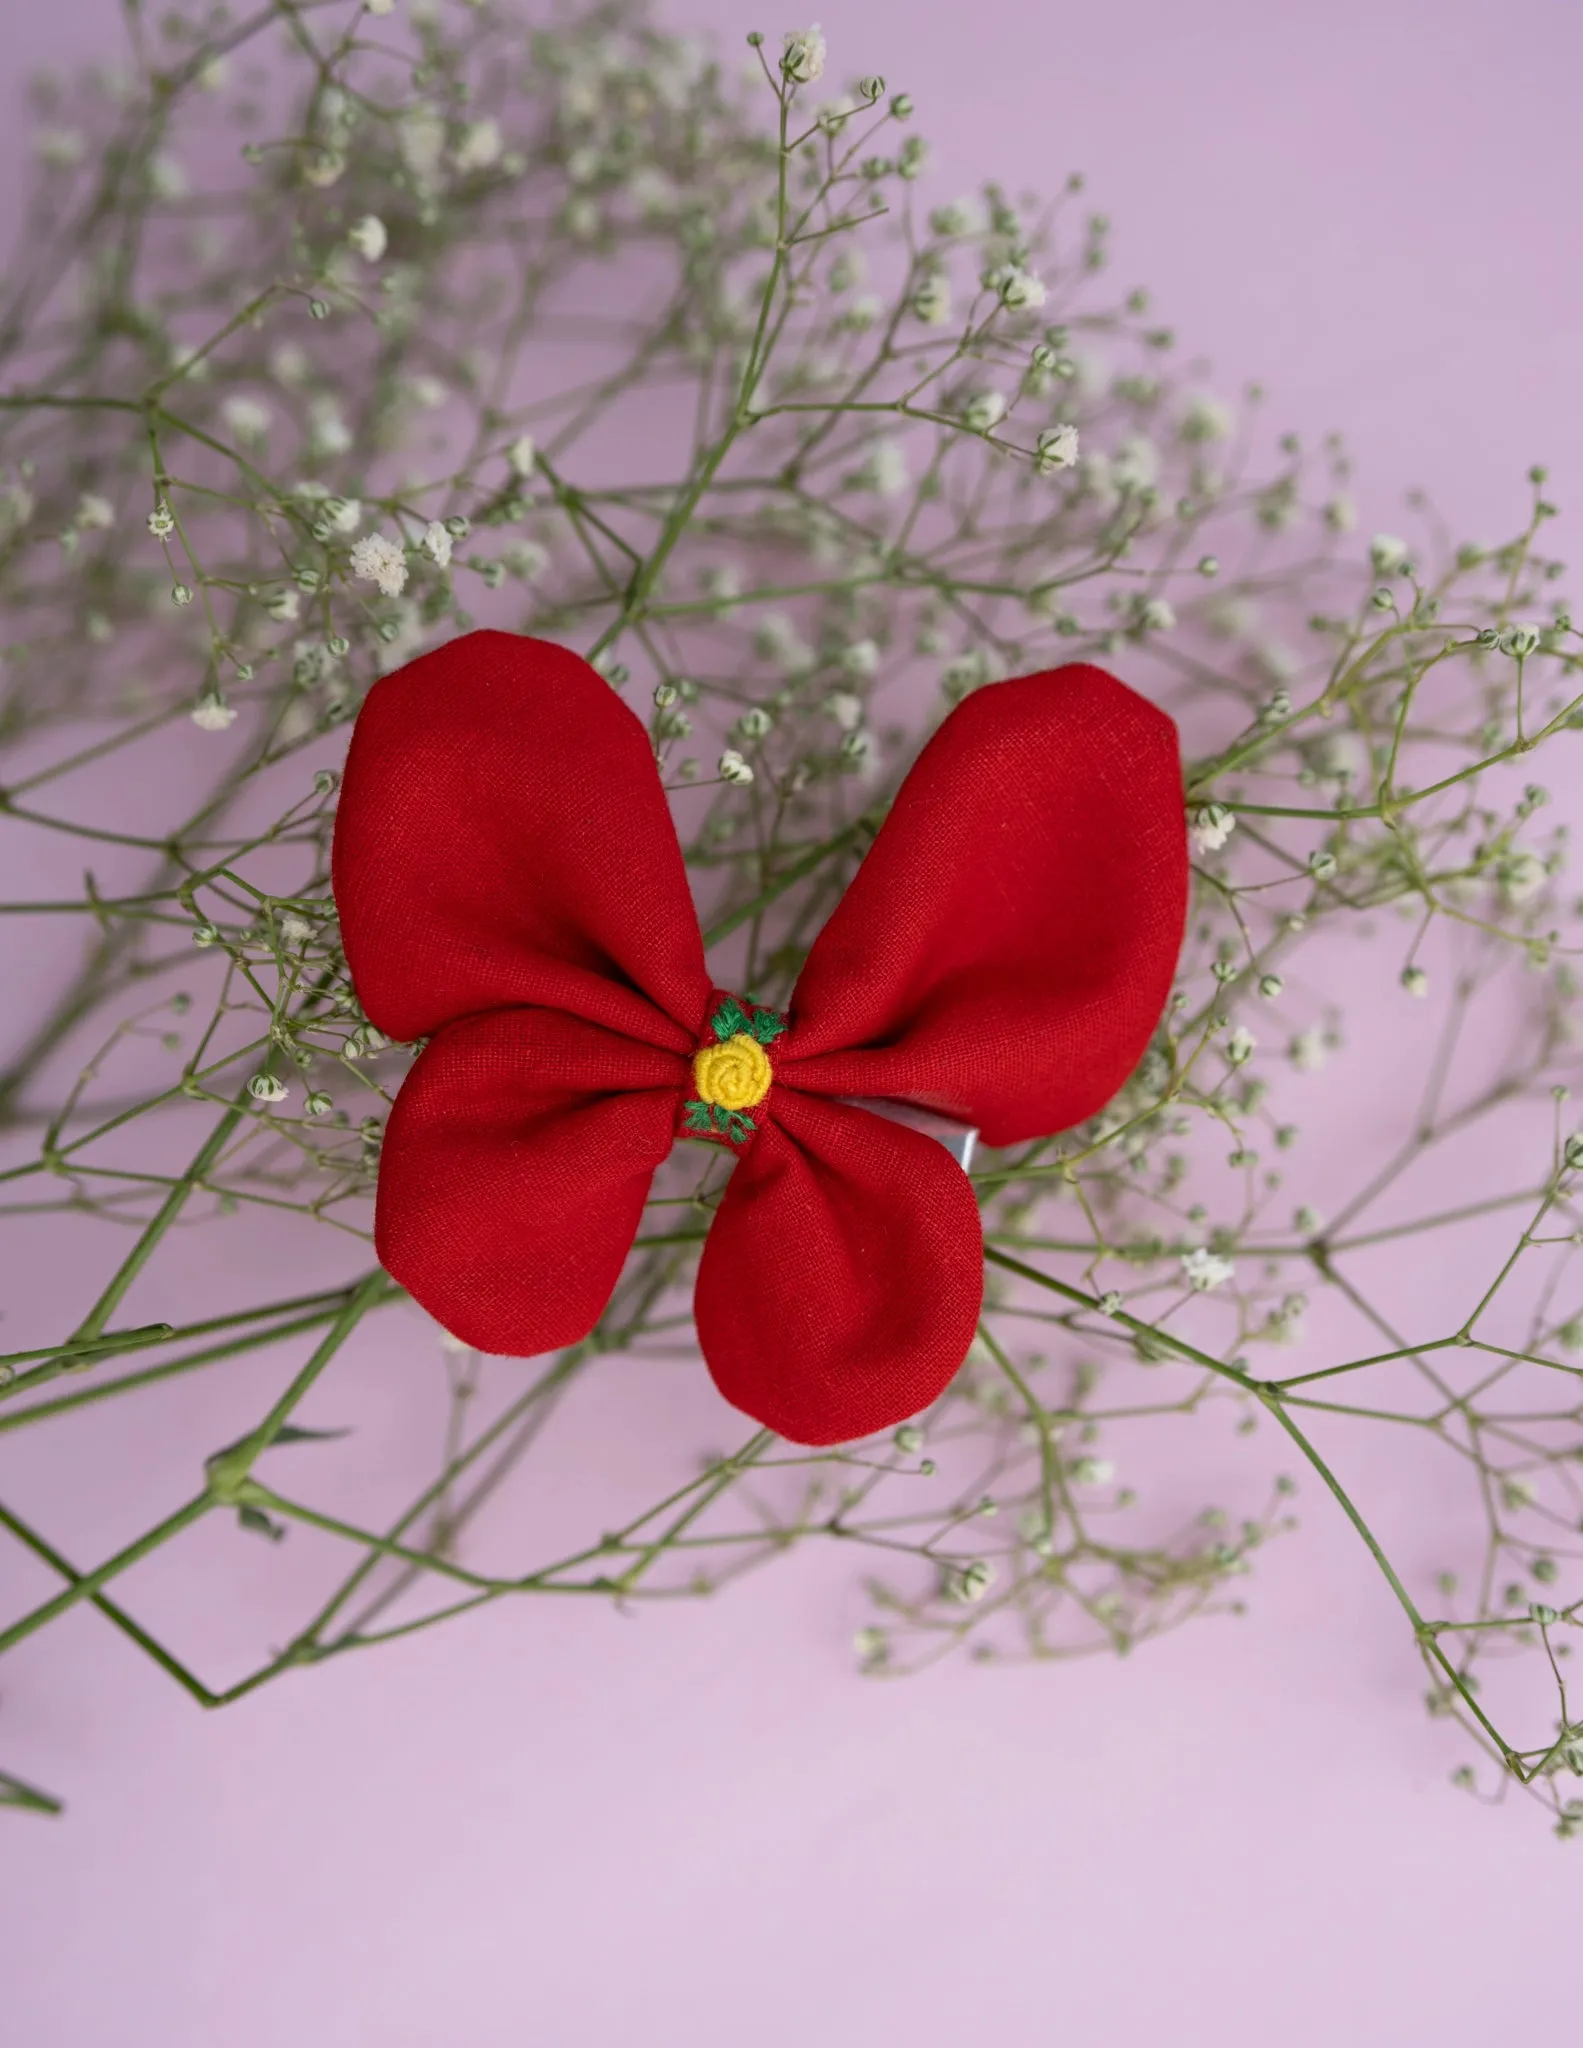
(505,841)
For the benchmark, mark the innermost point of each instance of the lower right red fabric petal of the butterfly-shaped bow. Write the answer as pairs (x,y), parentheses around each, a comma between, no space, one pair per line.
(843,1275)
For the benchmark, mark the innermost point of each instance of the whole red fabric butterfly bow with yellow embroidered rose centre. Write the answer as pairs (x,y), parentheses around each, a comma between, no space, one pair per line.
(511,888)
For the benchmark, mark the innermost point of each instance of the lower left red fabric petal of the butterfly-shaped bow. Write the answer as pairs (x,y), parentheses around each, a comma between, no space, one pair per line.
(515,1172)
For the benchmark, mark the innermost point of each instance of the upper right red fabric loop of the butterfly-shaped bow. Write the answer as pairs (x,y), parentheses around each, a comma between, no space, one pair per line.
(1009,943)
